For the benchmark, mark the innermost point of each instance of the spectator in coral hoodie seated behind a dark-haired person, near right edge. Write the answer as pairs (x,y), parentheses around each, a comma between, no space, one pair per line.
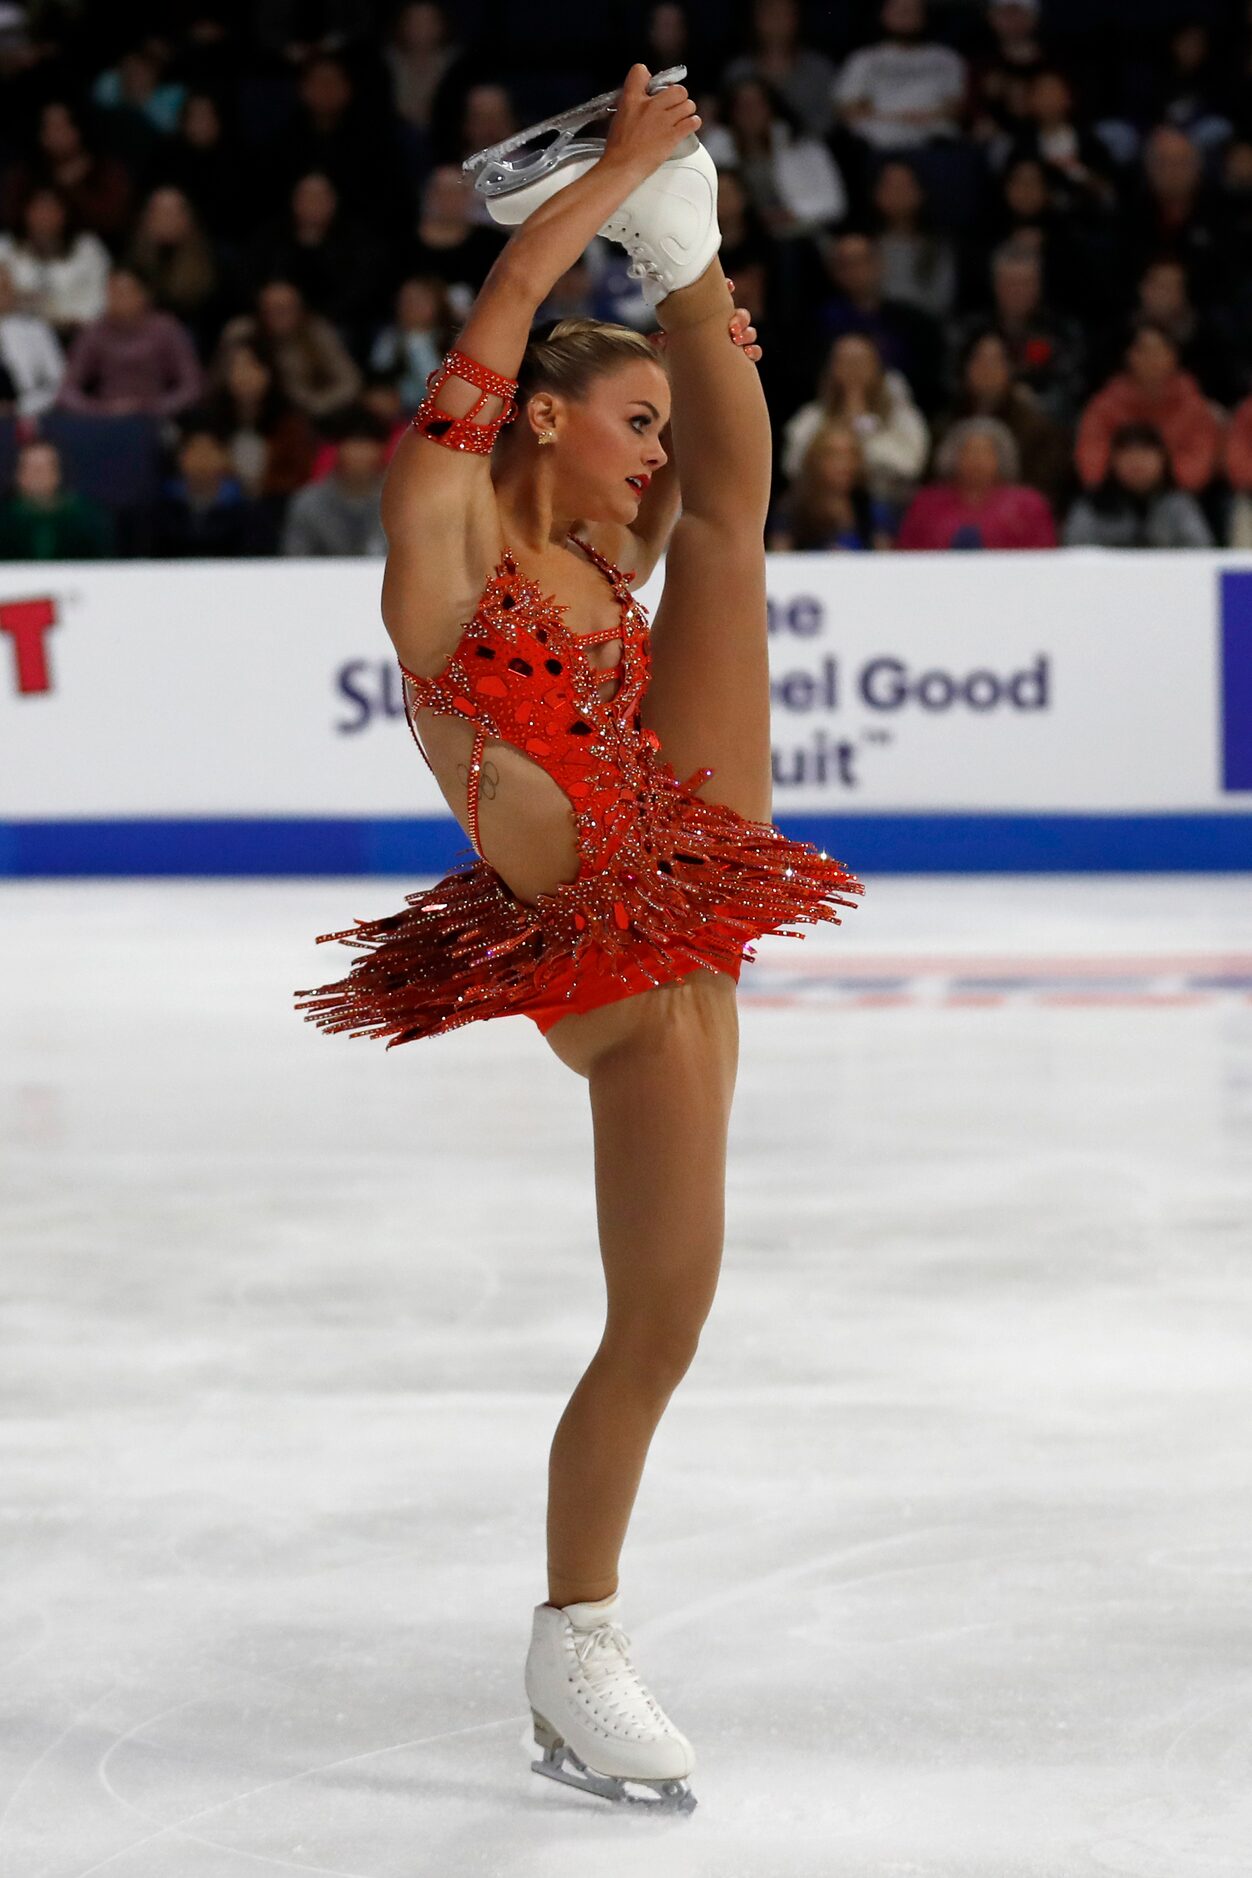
(1153,392)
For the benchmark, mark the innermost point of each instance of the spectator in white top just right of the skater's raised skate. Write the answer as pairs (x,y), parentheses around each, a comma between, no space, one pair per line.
(793,181)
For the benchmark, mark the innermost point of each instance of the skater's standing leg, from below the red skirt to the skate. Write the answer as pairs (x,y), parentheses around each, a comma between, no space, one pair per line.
(660,1105)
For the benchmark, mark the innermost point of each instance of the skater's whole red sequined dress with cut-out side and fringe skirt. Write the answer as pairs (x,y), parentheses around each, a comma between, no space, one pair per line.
(667,882)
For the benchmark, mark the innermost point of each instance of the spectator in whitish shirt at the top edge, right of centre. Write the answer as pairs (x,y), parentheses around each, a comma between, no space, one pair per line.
(908,89)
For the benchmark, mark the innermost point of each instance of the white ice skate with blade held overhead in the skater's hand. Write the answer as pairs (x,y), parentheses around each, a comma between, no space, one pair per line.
(667,224)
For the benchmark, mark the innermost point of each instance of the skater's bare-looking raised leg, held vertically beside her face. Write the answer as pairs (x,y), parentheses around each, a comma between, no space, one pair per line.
(710,690)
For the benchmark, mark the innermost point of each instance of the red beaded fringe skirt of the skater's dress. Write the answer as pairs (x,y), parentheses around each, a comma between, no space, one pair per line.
(690,885)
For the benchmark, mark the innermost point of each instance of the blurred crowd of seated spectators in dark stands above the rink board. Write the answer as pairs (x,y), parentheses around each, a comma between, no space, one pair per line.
(1000,256)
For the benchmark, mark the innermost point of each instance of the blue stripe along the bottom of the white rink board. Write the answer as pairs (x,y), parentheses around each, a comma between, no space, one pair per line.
(868,844)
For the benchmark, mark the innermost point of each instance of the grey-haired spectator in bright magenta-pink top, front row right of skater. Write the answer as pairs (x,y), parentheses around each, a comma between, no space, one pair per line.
(979,500)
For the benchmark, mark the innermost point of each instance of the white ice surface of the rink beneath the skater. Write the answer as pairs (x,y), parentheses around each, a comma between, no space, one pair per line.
(943,1554)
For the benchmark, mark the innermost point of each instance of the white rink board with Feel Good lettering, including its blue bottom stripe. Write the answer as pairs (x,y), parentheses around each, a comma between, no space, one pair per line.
(1031,713)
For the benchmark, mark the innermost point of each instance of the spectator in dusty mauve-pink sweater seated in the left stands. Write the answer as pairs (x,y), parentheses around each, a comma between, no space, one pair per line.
(132,358)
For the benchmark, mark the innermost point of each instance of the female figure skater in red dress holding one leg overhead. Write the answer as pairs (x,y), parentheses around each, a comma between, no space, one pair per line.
(611,902)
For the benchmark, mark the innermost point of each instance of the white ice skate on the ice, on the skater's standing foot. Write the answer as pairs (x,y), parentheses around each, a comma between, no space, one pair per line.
(590,1708)
